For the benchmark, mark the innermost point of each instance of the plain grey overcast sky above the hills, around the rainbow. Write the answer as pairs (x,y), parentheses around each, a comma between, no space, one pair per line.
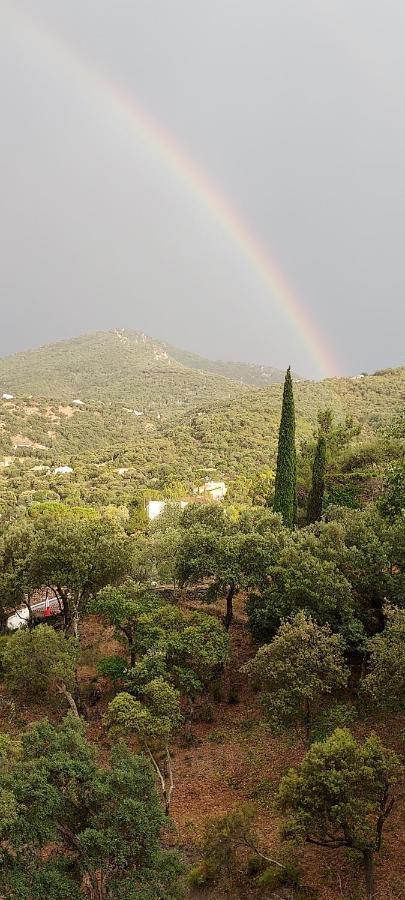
(293,109)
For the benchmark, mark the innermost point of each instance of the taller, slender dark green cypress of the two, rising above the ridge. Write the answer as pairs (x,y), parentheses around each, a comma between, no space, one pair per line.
(285,496)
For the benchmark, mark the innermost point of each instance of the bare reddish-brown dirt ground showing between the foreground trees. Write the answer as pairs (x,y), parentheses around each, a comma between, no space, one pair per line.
(233,758)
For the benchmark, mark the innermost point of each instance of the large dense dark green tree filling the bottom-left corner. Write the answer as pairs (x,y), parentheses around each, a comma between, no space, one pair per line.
(104,824)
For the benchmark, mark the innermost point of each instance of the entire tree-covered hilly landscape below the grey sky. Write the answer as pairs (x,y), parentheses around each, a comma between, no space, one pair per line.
(214,706)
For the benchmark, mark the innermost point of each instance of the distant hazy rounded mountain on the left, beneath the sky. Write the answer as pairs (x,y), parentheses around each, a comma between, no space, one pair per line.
(127,366)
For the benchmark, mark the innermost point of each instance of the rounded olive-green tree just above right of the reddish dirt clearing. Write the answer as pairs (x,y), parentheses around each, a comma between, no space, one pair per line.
(303,665)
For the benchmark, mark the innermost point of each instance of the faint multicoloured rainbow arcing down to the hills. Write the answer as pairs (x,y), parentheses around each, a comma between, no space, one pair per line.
(160,142)
